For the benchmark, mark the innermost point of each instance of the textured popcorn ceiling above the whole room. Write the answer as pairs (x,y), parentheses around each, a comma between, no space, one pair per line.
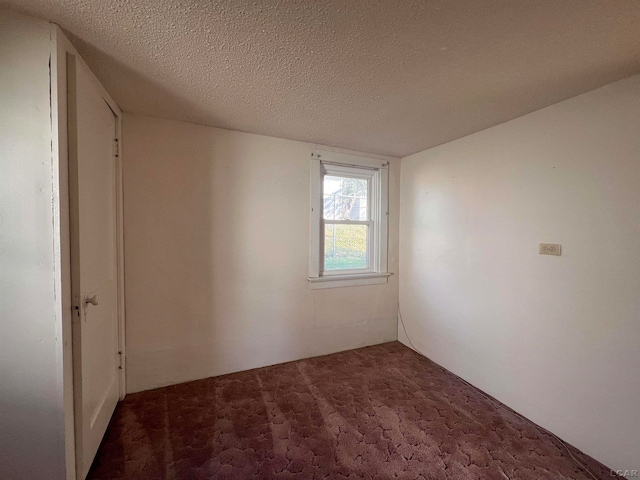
(389,77)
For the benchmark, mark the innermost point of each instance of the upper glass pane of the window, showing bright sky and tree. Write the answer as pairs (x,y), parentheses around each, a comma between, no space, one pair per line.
(345,198)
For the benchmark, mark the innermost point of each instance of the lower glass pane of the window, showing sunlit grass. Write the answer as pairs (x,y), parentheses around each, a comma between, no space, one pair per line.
(345,246)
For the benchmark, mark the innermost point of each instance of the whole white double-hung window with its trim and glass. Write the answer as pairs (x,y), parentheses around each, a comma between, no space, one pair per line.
(349,213)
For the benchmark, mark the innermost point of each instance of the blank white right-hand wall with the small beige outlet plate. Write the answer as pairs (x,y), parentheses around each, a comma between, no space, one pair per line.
(555,338)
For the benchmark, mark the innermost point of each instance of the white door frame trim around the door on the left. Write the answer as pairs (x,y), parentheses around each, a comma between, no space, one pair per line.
(62,54)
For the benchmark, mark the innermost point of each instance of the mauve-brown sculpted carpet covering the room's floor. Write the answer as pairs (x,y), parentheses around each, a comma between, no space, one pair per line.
(380,412)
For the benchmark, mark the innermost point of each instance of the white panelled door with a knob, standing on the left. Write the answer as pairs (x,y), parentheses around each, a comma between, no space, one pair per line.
(92,187)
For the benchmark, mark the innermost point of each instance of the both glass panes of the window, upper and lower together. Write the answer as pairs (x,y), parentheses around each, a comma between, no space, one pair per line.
(345,245)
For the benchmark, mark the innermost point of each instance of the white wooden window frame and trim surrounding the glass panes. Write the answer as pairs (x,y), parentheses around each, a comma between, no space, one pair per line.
(377,174)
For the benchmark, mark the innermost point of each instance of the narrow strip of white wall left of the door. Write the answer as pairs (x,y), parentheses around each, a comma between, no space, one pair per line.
(31,386)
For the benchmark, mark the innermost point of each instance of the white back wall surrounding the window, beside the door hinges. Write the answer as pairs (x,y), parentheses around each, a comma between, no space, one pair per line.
(216,257)
